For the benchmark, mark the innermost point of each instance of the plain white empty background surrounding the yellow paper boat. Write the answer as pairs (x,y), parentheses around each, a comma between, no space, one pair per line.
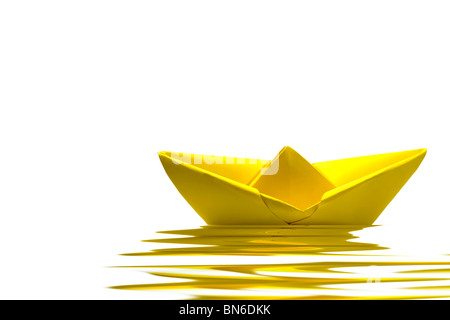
(90,91)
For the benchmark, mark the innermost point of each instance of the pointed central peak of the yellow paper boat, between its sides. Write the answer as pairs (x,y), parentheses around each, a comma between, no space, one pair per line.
(292,179)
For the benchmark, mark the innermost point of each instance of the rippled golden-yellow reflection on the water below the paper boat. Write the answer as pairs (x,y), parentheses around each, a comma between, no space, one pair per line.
(327,262)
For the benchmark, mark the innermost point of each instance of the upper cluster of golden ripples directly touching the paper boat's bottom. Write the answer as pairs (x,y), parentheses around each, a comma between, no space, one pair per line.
(261,240)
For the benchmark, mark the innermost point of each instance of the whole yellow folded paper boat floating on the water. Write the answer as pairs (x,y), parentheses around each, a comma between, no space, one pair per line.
(289,189)
